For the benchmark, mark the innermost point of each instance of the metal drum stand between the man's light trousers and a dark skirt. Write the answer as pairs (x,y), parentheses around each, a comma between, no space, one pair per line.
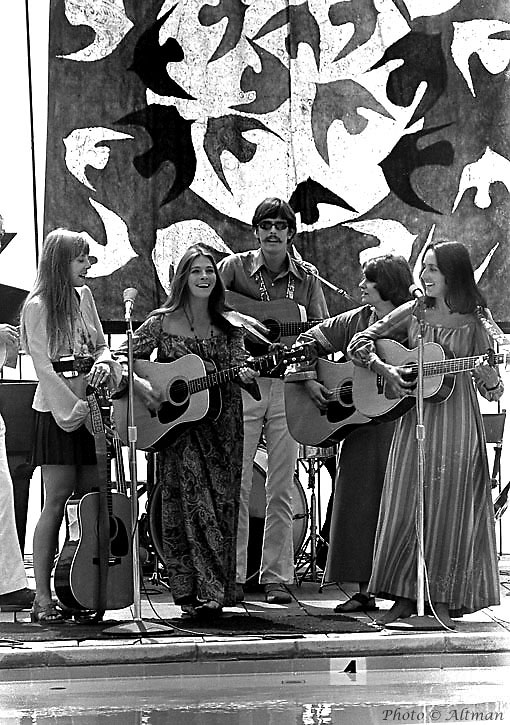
(313,459)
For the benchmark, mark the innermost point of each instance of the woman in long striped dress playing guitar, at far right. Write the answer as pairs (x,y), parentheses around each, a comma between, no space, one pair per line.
(459,535)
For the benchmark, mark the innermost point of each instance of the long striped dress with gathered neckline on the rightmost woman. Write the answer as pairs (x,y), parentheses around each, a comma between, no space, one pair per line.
(459,532)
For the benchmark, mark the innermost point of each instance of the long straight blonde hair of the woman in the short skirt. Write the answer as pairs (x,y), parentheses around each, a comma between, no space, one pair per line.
(54,286)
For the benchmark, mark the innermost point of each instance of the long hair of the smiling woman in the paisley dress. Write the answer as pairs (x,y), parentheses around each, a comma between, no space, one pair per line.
(179,291)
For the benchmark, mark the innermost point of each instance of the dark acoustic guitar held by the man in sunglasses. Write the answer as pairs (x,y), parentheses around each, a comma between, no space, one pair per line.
(284,318)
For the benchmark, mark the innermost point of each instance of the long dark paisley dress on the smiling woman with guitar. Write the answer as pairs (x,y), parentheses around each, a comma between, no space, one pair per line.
(200,473)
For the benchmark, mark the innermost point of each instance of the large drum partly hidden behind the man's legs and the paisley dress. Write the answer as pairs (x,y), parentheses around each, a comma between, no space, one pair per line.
(257,515)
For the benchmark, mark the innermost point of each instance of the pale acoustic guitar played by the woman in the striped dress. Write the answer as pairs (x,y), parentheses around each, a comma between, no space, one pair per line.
(373,398)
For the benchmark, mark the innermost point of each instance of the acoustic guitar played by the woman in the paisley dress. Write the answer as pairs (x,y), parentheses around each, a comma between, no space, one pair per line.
(189,391)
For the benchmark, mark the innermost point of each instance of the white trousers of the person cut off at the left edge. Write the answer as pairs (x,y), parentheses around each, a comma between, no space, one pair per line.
(12,569)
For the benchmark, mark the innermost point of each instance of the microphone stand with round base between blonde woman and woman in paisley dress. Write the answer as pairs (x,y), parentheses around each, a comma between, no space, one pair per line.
(138,626)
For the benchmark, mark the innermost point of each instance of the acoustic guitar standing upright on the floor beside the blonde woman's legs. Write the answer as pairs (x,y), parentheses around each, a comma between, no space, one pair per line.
(94,569)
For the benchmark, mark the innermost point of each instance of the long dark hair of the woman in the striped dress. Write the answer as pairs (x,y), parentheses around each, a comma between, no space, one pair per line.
(454,262)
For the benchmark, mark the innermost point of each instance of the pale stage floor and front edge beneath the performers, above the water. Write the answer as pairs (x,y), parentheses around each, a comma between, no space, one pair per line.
(312,633)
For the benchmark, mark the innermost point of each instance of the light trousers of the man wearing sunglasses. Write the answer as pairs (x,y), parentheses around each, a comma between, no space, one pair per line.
(268,416)
